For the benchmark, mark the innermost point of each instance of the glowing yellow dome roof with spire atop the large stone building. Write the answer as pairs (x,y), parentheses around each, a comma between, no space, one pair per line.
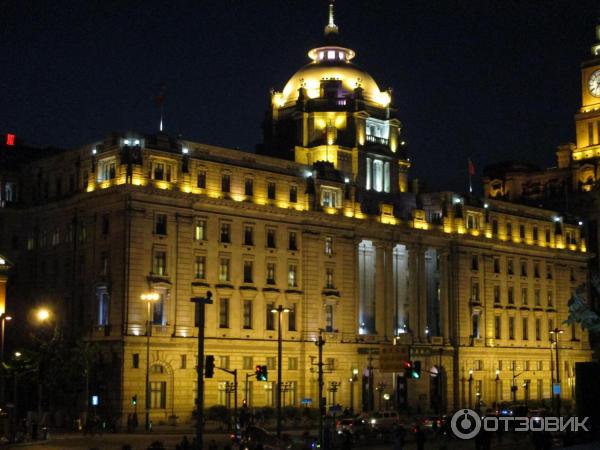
(331,62)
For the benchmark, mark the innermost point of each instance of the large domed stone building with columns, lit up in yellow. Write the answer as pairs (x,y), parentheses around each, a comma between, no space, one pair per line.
(319,221)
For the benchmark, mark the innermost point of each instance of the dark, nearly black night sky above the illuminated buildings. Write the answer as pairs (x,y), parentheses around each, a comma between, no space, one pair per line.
(492,79)
